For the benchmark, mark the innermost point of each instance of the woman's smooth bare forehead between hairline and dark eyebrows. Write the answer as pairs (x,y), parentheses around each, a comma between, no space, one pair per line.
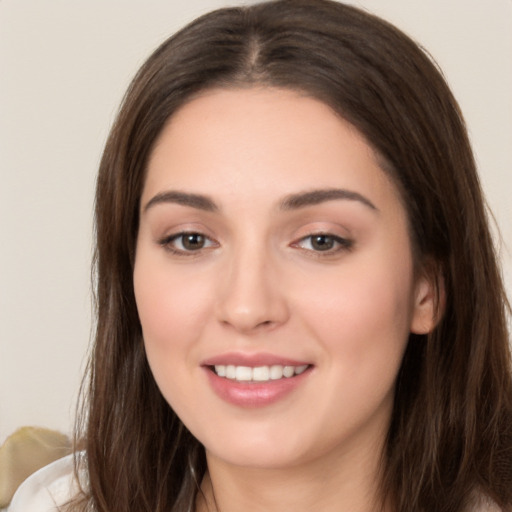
(261,141)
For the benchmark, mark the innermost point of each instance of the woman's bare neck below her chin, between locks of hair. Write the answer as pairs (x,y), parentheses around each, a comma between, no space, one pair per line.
(333,482)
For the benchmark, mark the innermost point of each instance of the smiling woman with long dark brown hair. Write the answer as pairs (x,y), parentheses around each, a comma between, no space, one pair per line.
(299,305)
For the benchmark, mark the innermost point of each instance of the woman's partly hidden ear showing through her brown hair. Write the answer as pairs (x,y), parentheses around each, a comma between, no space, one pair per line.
(429,301)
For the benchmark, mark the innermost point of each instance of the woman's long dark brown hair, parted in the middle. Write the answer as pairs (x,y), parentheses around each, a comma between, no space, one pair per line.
(450,433)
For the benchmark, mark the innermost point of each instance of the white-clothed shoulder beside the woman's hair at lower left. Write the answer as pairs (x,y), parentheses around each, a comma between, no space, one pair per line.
(47,489)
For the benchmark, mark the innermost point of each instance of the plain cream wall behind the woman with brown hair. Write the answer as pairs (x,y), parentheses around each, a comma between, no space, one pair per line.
(64,67)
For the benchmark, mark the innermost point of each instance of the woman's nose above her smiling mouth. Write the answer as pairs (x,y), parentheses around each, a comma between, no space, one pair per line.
(251,296)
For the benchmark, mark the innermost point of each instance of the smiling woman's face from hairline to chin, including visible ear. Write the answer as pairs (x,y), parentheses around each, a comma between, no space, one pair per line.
(274,279)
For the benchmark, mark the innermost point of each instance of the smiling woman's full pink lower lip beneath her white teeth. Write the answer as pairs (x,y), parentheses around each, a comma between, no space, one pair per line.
(254,394)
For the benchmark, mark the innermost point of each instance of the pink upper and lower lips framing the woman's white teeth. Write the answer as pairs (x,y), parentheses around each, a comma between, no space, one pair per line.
(254,394)
